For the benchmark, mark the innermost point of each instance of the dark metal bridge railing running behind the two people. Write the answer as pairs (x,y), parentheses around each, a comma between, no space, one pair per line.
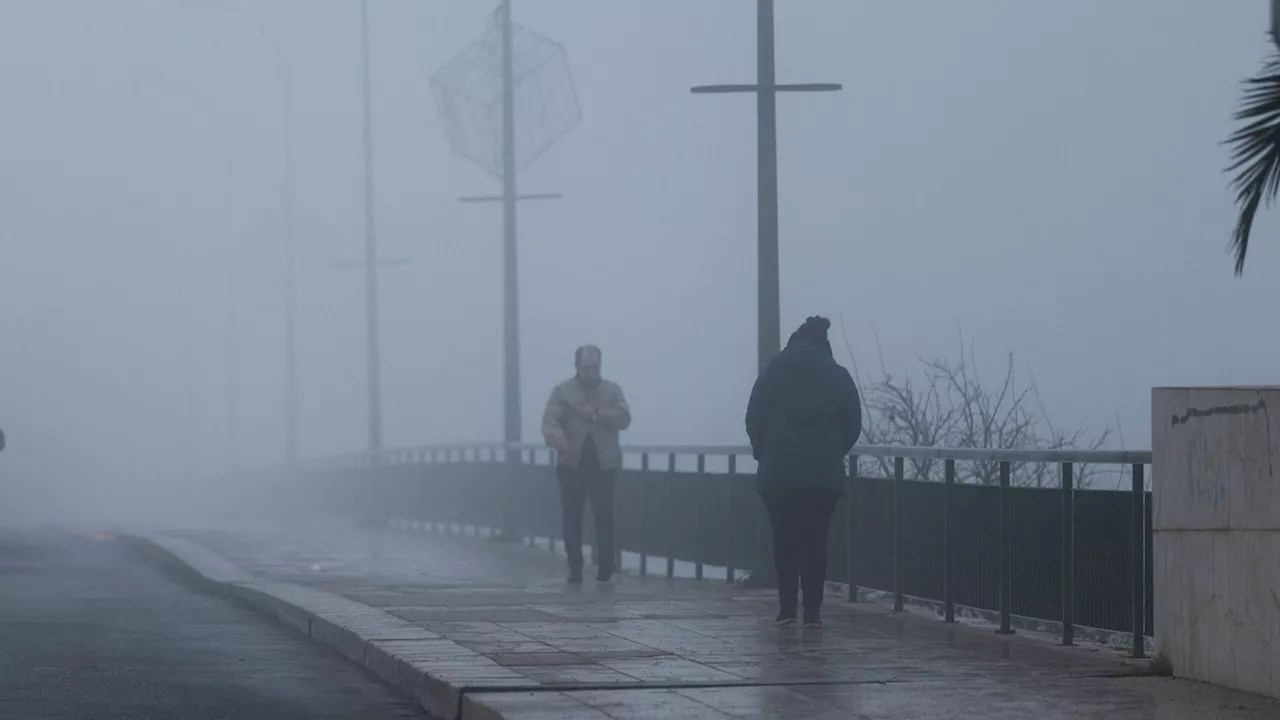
(1062,554)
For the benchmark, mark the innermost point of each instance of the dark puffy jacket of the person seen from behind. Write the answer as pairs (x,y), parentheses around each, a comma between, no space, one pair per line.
(804,417)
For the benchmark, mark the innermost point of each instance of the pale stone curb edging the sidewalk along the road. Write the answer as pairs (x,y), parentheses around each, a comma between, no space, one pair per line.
(435,672)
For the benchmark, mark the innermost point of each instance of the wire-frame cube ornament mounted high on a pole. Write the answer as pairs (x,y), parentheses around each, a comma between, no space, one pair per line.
(468,93)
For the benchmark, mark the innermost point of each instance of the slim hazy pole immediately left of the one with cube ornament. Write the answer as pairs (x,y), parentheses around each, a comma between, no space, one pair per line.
(374,361)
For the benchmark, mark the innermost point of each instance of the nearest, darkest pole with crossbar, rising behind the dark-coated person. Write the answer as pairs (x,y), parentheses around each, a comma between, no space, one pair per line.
(769,295)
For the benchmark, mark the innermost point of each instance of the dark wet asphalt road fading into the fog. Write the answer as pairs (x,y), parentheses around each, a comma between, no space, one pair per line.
(89,630)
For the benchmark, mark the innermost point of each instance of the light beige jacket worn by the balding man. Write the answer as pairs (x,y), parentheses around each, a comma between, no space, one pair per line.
(574,412)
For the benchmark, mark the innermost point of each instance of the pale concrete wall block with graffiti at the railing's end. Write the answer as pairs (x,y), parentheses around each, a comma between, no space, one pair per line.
(1217,522)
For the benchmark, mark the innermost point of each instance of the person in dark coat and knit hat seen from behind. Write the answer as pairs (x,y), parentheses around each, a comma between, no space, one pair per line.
(803,418)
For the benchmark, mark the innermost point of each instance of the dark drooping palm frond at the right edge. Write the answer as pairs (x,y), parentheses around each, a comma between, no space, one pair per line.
(1256,153)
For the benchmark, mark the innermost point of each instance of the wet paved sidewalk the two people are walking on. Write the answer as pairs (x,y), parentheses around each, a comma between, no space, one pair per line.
(481,631)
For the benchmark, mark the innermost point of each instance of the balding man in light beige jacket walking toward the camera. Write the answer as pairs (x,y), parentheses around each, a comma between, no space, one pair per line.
(583,421)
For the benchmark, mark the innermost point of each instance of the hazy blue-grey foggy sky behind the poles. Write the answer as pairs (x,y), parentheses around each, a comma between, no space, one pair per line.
(1044,175)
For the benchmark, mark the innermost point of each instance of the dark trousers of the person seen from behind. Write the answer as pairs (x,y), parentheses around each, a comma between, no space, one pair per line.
(801,521)
